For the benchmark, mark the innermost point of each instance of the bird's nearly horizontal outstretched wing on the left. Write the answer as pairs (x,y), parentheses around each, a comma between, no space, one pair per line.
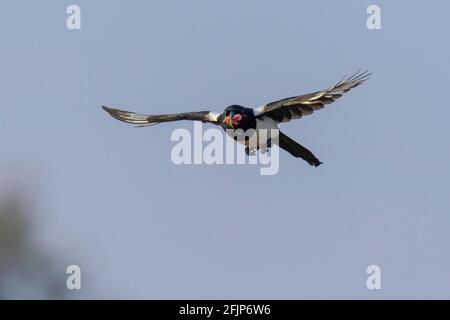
(143,120)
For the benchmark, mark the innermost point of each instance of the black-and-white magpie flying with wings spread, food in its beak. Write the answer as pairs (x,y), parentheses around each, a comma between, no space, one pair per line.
(265,117)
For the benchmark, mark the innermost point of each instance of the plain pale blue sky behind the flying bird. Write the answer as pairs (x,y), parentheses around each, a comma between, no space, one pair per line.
(109,198)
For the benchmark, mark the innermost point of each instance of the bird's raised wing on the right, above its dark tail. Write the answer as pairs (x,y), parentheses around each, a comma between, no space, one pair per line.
(297,107)
